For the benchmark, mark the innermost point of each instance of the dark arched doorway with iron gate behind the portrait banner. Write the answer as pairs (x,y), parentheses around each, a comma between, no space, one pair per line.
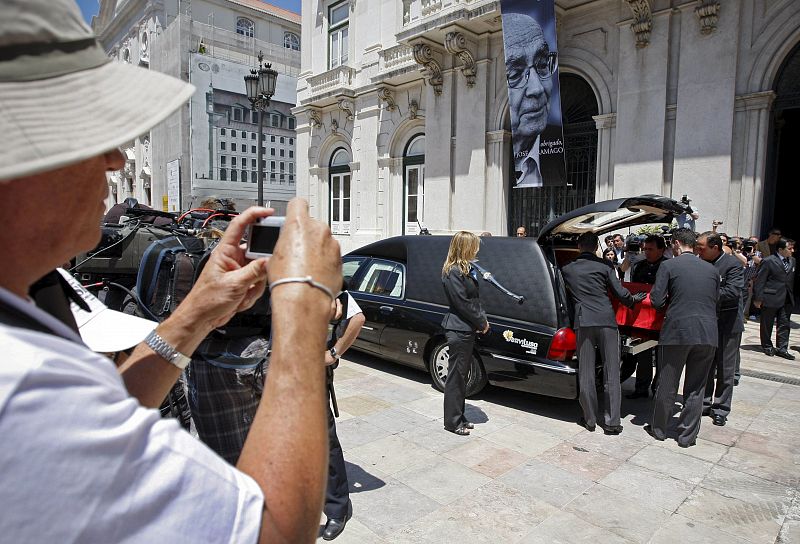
(535,207)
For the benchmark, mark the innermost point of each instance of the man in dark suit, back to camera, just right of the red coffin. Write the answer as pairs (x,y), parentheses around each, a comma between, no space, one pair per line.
(688,337)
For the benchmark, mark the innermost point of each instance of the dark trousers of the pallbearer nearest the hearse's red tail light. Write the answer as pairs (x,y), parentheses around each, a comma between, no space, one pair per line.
(606,339)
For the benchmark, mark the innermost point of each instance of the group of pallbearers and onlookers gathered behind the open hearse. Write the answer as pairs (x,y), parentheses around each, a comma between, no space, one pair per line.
(707,296)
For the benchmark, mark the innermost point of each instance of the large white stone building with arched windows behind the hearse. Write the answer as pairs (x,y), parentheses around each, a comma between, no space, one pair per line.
(406,116)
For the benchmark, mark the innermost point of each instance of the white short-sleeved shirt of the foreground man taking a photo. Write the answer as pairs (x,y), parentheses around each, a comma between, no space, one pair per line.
(83,461)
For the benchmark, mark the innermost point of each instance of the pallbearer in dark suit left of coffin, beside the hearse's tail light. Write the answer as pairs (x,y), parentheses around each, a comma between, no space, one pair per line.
(589,279)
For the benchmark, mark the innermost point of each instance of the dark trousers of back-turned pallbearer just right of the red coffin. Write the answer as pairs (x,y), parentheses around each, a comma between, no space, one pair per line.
(697,359)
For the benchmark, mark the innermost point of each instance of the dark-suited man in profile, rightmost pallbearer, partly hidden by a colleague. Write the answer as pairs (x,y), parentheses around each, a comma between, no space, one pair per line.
(729,326)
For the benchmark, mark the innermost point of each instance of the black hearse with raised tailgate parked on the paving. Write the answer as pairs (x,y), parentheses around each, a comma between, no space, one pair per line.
(530,347)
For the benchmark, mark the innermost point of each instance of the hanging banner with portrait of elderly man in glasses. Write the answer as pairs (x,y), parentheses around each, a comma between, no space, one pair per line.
(529,37)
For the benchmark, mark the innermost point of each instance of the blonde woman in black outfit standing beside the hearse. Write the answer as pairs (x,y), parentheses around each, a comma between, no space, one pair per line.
(464,320)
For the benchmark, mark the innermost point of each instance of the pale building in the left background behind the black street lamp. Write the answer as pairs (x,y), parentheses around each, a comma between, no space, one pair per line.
(210,146)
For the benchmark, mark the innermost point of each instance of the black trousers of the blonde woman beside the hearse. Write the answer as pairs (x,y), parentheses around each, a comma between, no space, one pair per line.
(460,344)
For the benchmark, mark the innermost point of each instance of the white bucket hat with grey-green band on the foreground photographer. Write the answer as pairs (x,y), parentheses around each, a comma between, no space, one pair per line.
(62,100)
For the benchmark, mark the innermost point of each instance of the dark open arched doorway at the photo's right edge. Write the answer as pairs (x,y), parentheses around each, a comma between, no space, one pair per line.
(780,189)
